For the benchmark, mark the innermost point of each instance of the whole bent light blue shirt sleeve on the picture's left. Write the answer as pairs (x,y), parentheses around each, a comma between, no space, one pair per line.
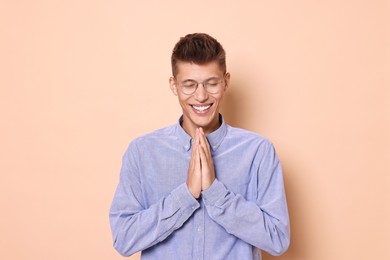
(135,227)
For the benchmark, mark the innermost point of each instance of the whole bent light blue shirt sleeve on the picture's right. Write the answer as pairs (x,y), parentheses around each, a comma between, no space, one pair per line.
(263,223)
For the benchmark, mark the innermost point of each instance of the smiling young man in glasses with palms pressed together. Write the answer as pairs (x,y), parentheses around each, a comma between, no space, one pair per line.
(200,189)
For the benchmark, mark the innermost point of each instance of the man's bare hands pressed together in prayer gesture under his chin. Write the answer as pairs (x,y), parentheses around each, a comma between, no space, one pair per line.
(201,172)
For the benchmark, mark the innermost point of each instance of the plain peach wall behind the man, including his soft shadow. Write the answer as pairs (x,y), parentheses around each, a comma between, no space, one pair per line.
(81,79)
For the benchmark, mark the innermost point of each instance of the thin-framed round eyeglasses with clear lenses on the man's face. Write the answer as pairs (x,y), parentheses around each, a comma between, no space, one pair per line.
(212,86)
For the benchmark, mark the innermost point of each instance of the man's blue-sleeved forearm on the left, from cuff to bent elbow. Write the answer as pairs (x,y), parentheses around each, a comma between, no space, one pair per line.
(135,229)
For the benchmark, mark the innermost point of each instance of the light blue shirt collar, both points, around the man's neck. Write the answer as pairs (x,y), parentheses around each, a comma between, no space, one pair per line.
(215,138)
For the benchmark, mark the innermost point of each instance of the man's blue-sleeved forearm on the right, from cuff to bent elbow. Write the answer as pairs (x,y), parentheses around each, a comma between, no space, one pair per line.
(265,228)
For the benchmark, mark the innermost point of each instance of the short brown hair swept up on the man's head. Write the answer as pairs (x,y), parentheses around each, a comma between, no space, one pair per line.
(198,48)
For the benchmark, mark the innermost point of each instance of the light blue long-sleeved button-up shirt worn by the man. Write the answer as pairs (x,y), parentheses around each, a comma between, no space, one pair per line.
(243,212)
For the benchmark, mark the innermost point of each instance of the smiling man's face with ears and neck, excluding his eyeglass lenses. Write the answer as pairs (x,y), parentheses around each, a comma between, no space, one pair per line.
(200,109)
